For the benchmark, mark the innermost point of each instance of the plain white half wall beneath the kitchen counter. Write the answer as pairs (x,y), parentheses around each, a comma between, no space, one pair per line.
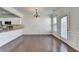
(8,36)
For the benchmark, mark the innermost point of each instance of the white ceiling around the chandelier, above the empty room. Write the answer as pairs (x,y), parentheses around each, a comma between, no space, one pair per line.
(43,11)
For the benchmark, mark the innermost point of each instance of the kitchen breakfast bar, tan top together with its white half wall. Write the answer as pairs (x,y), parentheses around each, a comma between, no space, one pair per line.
(9,34)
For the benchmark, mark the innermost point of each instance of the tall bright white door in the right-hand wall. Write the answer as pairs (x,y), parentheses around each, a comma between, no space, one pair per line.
(64,27)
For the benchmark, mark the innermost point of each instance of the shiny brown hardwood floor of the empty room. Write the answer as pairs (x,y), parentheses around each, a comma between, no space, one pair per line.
(36,43)
